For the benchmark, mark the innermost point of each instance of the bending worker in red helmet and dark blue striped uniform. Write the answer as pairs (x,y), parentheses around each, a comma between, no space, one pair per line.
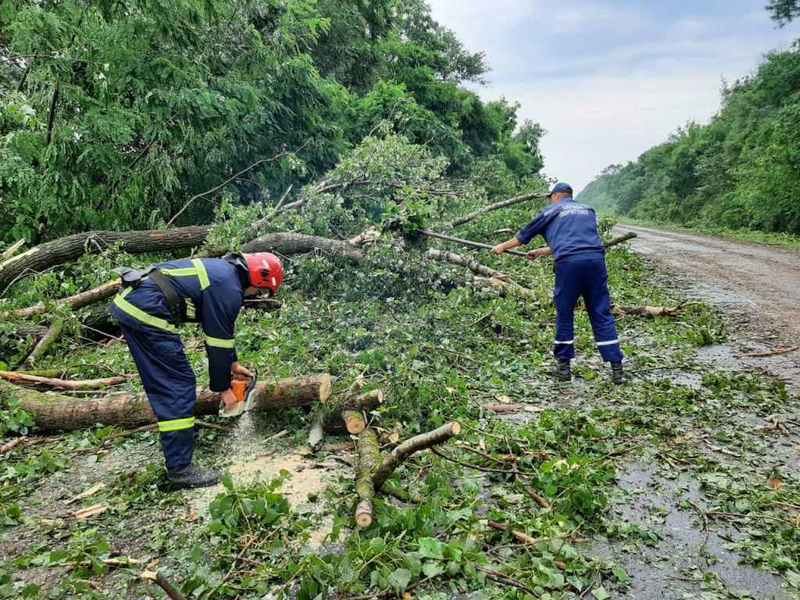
(150,307)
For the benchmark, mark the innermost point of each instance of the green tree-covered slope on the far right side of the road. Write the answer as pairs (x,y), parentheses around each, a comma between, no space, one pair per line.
(740,171)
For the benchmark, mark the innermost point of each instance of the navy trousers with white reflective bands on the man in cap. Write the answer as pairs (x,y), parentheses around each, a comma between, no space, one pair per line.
(584,277)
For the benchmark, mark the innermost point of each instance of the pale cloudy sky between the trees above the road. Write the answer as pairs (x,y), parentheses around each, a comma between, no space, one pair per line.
(610,78)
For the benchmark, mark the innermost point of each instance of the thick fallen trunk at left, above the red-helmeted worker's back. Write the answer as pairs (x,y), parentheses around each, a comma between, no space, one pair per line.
(69,248)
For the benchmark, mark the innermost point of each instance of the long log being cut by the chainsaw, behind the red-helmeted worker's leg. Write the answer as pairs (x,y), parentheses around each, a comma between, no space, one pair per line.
(56,412)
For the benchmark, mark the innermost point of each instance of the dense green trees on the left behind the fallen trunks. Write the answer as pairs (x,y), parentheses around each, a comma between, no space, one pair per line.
(113,115)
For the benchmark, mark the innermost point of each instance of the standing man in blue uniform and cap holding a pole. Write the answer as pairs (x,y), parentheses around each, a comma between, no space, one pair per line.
(570,230)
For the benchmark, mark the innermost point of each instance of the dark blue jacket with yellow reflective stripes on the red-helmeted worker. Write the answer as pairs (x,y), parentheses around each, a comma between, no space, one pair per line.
(213,291)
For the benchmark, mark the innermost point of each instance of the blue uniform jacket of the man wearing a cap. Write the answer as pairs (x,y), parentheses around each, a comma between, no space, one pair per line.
(569,228)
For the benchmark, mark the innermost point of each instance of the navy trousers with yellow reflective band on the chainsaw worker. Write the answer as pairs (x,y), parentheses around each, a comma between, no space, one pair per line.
(169,382)
